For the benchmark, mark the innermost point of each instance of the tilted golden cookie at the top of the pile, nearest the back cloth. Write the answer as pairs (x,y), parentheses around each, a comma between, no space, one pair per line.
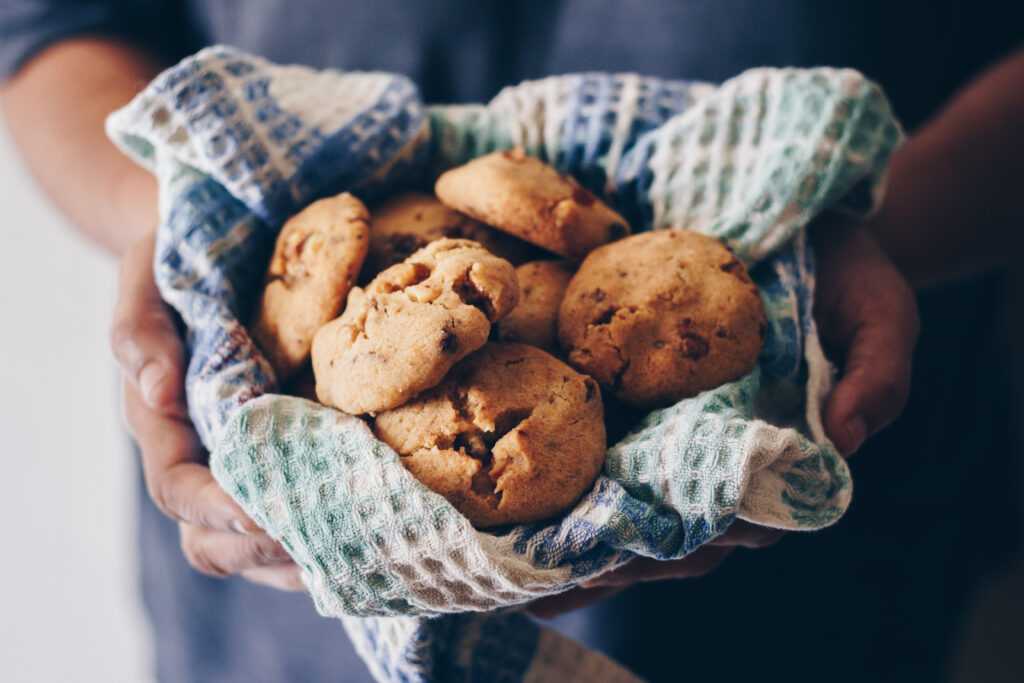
(531,200)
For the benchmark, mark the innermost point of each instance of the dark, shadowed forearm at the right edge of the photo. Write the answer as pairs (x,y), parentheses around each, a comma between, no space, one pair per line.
(954,207)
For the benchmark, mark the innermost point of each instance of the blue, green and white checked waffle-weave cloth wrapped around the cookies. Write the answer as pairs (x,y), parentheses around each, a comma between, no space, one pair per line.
(239,145)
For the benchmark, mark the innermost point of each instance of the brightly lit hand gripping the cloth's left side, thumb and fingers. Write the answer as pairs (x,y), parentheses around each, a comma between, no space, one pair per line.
(218,538)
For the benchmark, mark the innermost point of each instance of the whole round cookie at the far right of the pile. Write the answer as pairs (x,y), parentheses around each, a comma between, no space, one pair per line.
(661,317)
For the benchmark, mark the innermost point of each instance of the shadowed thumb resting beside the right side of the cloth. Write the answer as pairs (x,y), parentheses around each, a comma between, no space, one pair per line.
(876,380)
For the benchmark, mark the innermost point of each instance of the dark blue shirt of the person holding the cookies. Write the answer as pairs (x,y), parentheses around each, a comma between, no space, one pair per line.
(906,585)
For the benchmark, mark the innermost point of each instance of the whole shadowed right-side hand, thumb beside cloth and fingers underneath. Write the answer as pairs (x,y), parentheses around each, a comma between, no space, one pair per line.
(868,317)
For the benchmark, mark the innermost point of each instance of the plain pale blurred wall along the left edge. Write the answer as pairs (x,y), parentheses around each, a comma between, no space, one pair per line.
(68,580)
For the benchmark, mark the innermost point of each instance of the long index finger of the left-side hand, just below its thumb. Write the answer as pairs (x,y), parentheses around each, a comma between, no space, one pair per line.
(180,485)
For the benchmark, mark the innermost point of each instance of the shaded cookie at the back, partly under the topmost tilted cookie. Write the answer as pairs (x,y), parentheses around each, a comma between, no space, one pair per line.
(409,223)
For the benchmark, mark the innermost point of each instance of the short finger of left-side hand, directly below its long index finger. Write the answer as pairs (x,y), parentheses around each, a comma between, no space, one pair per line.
(224,554)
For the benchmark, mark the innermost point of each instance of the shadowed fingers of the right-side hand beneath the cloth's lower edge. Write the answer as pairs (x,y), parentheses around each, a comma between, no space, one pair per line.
(641,570)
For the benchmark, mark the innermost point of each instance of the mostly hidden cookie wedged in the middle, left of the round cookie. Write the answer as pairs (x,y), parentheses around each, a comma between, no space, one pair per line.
(535,321)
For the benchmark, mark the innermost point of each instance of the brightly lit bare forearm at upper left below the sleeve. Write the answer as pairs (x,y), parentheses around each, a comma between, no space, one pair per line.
(56,108)
